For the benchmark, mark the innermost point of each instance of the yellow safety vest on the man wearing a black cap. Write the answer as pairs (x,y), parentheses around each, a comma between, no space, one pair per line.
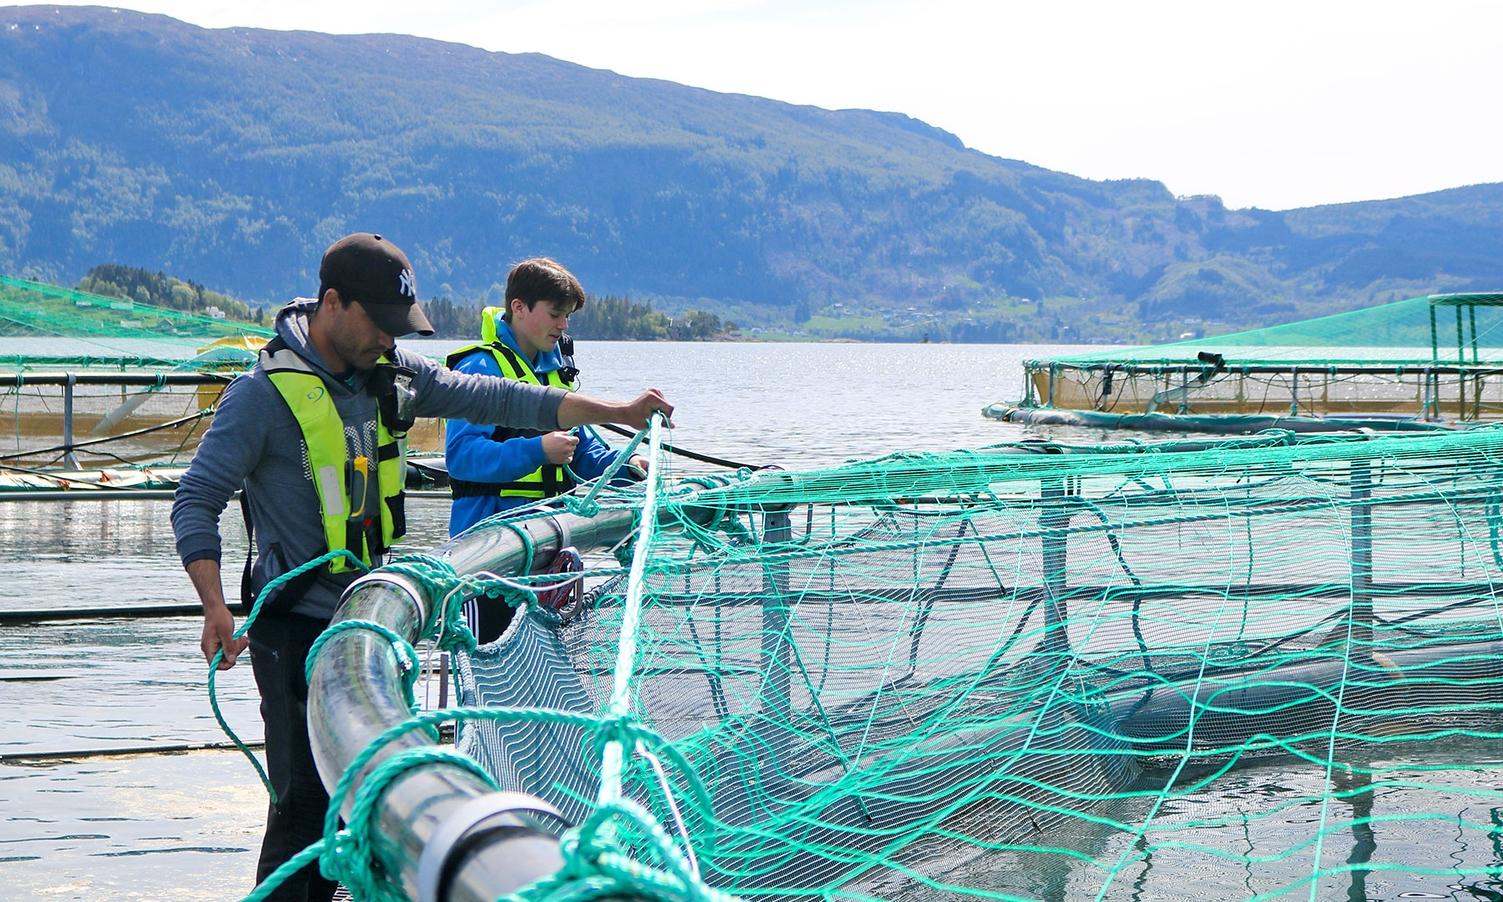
(334,476)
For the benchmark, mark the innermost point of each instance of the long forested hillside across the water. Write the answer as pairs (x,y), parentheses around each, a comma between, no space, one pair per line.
(232,157)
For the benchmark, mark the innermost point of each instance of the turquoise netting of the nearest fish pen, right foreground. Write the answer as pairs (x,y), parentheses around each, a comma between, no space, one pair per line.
(1260,668)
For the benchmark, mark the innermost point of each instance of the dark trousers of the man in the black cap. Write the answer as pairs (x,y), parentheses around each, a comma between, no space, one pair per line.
(280,646)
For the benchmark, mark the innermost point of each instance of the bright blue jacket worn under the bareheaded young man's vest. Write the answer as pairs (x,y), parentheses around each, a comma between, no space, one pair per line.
(471,453)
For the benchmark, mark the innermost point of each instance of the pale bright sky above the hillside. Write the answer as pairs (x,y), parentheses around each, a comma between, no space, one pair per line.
(1275,103)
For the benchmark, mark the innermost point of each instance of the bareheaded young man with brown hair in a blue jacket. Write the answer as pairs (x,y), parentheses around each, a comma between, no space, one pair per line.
(492,468)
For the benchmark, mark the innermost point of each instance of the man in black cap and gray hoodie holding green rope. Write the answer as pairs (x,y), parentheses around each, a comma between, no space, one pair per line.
(313,435)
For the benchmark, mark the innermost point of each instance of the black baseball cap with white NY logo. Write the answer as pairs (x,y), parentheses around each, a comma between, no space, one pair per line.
(370,270)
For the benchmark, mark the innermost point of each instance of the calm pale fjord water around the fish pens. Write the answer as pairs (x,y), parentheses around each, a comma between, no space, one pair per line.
(187,826)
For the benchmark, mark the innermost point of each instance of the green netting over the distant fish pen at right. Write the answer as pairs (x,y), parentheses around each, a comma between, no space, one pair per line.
(1435,359)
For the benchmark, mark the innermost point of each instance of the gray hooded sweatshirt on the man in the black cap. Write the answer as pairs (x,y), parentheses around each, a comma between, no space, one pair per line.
(255,443)
